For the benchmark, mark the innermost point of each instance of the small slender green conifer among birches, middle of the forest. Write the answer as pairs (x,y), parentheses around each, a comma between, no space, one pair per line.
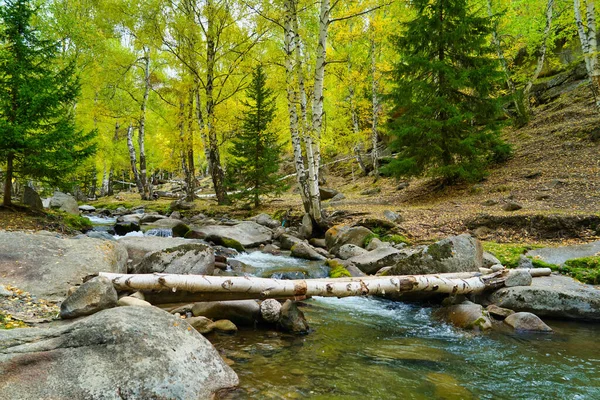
(256,151)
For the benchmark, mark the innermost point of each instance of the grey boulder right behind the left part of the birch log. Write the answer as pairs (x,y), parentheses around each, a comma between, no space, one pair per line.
(189,258)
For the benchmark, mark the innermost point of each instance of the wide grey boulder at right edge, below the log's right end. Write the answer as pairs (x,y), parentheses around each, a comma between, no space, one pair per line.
(552,296)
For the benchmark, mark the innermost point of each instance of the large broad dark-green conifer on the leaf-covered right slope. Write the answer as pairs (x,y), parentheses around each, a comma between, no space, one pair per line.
(446,119)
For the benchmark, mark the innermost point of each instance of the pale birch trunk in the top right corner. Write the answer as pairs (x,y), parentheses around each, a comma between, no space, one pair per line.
(589,45)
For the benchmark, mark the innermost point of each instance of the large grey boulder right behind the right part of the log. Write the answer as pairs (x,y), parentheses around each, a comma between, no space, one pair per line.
(461,253)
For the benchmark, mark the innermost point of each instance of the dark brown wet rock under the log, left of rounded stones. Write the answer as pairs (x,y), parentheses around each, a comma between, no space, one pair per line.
(241,312)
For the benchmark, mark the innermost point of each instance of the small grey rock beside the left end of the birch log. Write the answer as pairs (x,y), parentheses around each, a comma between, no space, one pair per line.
(95,295)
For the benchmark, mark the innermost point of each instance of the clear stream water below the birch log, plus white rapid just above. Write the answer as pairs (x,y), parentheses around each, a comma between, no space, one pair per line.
(365,348)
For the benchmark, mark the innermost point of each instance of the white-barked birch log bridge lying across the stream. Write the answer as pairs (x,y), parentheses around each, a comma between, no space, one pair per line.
(172,288)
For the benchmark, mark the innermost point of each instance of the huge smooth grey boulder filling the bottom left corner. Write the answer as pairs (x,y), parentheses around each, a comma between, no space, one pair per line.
(120,353)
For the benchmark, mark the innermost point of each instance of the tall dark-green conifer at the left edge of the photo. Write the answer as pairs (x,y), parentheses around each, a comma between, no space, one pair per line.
(38,138)
